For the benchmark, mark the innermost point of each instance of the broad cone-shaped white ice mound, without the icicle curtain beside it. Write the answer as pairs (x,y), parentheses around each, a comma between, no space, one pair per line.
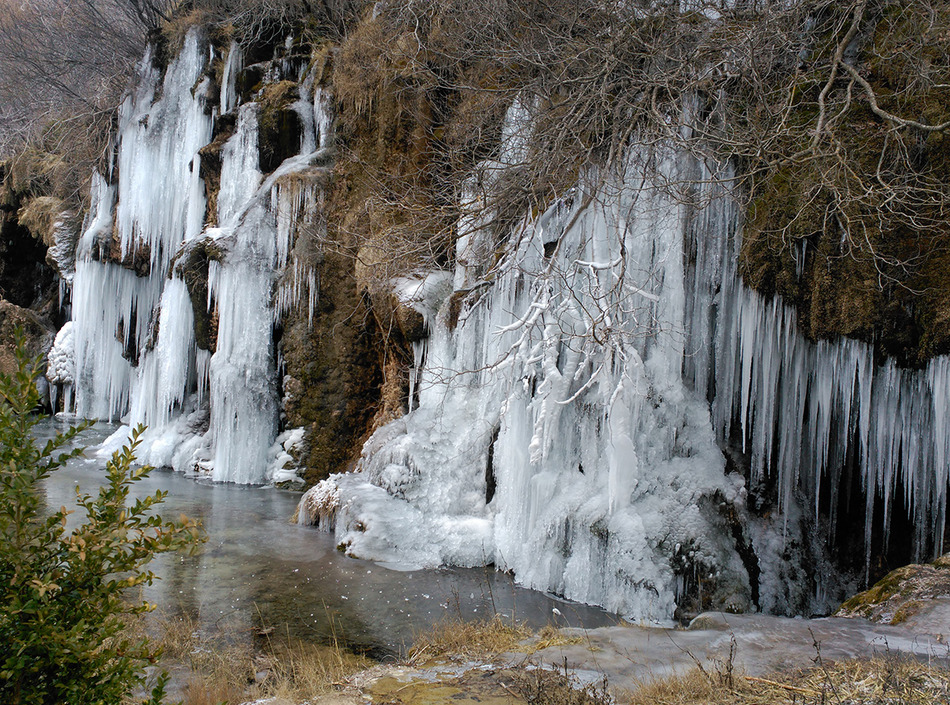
(555,435)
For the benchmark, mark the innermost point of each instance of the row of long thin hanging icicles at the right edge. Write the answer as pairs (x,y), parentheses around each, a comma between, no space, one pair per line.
(809,412)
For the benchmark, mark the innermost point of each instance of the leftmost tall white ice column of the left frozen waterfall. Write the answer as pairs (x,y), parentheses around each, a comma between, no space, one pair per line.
(158,203)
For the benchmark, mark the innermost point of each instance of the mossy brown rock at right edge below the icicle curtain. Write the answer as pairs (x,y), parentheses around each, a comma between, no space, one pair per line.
(902,594)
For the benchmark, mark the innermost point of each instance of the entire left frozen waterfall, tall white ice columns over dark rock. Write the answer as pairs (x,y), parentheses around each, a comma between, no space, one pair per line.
(134,331)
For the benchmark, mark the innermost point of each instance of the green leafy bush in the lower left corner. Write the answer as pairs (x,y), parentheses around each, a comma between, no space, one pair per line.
(64,595)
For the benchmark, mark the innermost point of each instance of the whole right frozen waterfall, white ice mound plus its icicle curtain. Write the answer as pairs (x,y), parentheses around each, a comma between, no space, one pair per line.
(563,429)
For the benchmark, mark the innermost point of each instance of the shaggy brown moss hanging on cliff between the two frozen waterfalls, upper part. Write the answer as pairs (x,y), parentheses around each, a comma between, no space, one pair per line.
(393,189)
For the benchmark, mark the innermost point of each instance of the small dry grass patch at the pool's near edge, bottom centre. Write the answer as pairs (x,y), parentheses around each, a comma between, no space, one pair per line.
(462,639)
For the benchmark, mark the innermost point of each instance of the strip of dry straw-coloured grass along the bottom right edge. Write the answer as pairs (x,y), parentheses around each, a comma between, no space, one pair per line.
(880,681)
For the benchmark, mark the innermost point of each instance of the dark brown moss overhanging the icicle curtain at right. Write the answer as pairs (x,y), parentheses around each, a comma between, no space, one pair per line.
(886,280)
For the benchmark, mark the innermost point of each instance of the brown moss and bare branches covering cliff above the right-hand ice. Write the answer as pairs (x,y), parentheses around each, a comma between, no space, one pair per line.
(834,114)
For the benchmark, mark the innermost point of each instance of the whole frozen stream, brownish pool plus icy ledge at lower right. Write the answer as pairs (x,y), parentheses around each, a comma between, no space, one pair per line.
(258,570)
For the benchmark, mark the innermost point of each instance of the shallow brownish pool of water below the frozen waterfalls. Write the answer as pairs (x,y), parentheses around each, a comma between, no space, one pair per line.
(257,570)
